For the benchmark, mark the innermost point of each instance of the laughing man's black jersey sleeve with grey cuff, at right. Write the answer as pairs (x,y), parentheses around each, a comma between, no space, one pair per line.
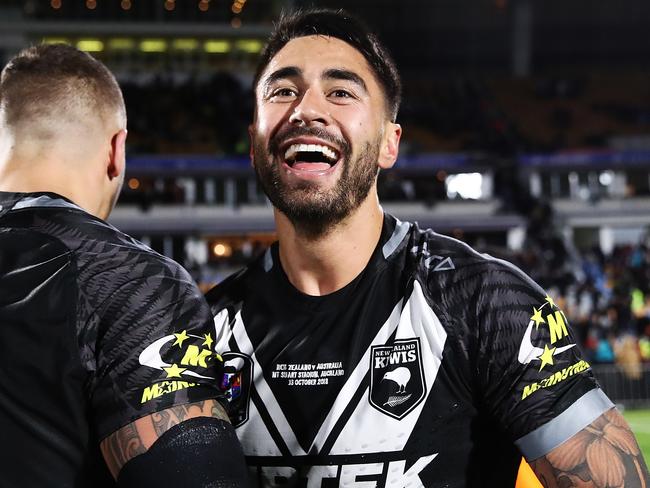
(533,377)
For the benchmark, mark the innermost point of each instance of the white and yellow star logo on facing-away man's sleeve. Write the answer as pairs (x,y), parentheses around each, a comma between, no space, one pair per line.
(182,359)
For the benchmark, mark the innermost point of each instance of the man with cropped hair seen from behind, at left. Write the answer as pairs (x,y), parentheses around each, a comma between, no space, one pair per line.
(104,343)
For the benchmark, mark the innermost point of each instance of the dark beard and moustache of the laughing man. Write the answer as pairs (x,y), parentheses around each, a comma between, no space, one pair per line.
(312,211)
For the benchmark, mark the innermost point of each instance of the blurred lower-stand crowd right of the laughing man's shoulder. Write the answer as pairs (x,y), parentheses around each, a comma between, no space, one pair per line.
(605,297)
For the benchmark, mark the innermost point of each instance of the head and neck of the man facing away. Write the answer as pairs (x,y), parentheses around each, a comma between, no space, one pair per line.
(62,127)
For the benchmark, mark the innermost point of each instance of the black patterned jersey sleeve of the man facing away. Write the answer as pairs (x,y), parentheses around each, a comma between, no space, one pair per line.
(149,337)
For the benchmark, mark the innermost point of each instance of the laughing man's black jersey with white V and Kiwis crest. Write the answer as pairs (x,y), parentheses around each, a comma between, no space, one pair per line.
(430,369)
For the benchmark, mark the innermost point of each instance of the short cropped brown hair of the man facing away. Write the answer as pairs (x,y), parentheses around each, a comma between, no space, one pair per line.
(46,90)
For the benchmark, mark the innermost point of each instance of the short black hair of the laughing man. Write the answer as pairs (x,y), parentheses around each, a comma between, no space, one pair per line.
(341,25)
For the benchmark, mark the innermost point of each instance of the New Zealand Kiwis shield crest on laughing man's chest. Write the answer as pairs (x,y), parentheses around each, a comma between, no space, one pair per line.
(396,377)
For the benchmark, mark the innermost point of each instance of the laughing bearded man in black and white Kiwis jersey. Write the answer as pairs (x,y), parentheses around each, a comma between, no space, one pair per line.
(364,351)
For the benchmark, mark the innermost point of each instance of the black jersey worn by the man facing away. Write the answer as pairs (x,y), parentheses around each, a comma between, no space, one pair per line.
(96,330)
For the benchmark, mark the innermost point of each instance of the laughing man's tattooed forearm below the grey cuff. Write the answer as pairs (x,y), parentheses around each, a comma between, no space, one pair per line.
(603,454)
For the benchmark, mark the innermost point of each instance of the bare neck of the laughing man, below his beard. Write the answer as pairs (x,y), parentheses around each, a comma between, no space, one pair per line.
(322,265)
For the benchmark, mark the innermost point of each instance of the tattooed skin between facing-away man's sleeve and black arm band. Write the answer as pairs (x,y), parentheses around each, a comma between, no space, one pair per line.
(138,436)
